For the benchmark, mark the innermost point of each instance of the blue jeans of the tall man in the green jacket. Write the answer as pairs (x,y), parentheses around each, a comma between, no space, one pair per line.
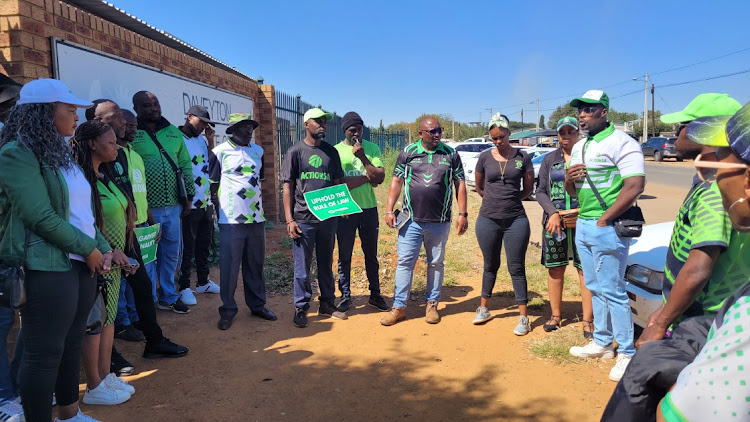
(168,253)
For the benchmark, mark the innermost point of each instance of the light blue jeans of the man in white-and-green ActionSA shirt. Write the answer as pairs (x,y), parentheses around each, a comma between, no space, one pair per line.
(604,258)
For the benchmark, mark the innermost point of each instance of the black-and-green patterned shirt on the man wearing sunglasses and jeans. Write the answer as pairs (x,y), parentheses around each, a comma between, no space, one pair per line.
(428,178)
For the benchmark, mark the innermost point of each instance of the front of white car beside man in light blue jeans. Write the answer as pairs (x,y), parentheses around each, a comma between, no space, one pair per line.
(645,270)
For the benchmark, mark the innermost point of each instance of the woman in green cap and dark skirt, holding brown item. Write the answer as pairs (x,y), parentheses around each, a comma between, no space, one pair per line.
(558,236)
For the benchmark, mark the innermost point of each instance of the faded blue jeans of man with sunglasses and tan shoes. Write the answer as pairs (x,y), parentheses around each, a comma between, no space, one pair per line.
(410,239)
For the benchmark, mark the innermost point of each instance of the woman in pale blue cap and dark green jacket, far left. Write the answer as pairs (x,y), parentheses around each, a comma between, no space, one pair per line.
(47,225)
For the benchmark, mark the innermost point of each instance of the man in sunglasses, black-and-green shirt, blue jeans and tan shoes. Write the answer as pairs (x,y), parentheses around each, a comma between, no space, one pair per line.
(430,170)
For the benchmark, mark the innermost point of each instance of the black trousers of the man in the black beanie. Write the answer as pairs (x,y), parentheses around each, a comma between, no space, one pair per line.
(367,223)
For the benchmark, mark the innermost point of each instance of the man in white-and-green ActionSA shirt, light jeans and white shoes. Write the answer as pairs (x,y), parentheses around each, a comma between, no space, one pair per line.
(607,167)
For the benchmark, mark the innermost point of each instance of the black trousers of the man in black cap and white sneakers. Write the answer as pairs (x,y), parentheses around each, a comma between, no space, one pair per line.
(197,234)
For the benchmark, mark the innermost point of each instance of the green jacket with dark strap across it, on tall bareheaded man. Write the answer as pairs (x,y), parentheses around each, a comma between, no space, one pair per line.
(161,180)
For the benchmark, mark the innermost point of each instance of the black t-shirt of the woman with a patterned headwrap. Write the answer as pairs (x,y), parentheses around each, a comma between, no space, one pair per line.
(502,191)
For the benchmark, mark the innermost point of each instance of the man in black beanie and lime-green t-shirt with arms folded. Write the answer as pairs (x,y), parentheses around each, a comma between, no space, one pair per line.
(363,170)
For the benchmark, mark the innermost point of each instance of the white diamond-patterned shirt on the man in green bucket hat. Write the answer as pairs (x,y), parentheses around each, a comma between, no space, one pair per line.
(238,170)
